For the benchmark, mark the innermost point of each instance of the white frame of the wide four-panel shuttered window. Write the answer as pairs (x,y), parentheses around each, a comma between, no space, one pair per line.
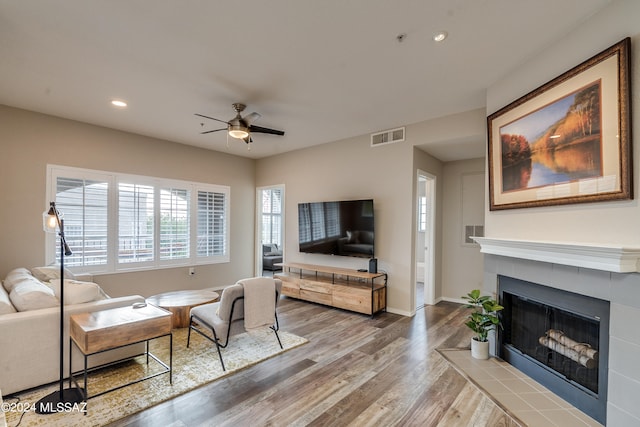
(113,180)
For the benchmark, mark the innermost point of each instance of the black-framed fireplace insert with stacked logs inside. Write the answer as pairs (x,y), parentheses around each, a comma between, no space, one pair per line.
(559,338)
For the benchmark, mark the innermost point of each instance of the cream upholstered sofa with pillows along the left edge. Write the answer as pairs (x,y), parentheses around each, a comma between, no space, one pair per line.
(29,325)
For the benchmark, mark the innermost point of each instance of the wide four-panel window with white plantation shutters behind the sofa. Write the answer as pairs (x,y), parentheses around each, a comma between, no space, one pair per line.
(117,222)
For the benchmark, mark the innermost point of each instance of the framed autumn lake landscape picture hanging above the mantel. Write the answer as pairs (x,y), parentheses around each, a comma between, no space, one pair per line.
(567,141)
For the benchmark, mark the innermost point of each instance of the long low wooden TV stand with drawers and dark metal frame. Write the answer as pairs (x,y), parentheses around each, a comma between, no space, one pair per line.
(353,290)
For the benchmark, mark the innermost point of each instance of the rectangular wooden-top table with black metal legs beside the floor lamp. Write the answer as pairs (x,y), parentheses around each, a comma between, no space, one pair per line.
(106,330)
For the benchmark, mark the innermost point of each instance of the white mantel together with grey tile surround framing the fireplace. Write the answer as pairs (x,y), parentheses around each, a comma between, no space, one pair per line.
(607,272)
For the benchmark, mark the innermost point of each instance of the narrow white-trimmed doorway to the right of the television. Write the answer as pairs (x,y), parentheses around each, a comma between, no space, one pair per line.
(425,204)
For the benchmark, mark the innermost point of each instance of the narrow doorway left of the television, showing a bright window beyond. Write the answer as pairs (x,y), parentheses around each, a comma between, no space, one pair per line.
(269,229)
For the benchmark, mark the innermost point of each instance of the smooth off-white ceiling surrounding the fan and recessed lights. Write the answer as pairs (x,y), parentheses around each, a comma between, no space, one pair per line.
(319,70)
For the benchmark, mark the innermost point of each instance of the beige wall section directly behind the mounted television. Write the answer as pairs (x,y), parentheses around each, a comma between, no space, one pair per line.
(351,169)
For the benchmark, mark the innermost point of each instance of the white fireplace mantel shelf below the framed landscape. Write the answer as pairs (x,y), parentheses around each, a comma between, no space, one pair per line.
(613,258)
